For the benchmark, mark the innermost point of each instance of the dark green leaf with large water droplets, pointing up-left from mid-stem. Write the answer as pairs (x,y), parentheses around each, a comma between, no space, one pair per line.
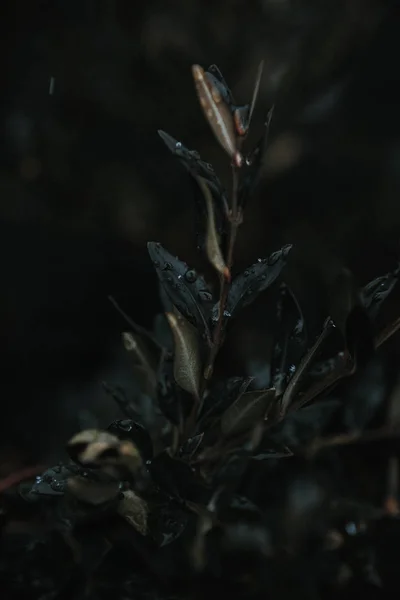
(186,289)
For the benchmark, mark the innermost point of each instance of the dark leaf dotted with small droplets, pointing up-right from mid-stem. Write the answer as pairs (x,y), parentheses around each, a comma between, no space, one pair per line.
(248,285)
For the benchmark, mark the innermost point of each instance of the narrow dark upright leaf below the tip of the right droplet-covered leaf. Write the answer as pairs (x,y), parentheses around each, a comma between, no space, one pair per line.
(290,340)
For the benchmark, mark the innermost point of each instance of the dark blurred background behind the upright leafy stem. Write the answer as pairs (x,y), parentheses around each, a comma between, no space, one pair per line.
(85,181)
